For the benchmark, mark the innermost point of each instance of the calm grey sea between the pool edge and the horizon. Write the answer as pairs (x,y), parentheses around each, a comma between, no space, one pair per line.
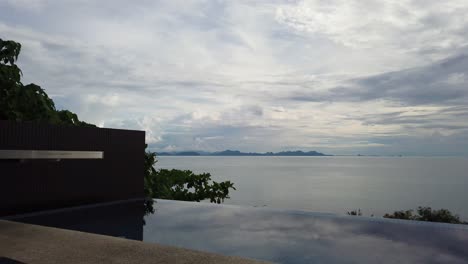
(376,185)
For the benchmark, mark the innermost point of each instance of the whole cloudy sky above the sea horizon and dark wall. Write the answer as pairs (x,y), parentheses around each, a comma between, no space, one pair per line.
(341,77)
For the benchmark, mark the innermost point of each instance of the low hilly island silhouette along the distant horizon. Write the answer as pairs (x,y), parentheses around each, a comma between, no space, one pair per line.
(238,153)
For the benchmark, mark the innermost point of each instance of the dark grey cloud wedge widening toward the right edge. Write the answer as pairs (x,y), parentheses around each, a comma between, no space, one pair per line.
(442,83)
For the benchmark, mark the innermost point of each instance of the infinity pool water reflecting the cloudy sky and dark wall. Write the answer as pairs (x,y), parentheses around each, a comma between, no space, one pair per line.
(271,234)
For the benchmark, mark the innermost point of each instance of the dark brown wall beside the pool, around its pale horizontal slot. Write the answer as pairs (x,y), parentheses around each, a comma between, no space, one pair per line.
(31,185)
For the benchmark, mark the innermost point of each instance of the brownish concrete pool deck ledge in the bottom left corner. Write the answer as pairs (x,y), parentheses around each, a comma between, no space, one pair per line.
(37,244)
